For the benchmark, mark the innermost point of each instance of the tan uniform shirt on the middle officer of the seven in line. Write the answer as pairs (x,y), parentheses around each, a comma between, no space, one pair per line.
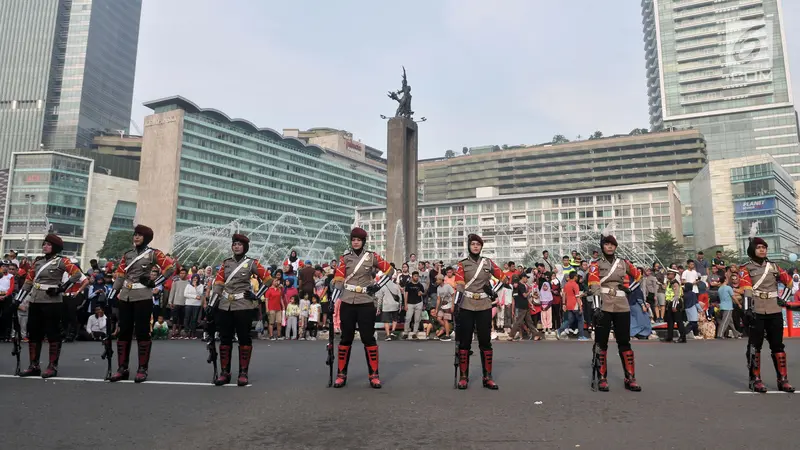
(353,283)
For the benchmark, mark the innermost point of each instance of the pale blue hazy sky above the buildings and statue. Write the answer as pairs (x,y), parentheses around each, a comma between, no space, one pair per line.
(482,72)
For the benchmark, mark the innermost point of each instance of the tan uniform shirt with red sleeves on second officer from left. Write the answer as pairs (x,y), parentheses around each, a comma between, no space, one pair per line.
(132,268)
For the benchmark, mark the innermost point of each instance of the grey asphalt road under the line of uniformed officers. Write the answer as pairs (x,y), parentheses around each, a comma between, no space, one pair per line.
(689,401)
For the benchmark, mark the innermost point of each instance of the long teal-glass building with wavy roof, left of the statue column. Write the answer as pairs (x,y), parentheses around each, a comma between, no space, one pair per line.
(200,168)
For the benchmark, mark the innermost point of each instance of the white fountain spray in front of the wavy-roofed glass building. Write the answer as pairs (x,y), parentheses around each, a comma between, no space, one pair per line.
(270,241)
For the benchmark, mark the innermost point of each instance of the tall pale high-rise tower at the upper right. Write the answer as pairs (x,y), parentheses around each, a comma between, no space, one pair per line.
(720,66)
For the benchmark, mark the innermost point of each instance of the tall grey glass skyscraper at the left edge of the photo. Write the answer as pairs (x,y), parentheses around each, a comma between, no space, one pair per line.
(66,71)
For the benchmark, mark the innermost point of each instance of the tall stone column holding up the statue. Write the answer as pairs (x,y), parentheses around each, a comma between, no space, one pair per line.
(401,190)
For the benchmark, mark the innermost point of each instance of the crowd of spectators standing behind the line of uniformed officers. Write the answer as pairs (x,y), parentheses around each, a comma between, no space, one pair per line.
(548,299)
